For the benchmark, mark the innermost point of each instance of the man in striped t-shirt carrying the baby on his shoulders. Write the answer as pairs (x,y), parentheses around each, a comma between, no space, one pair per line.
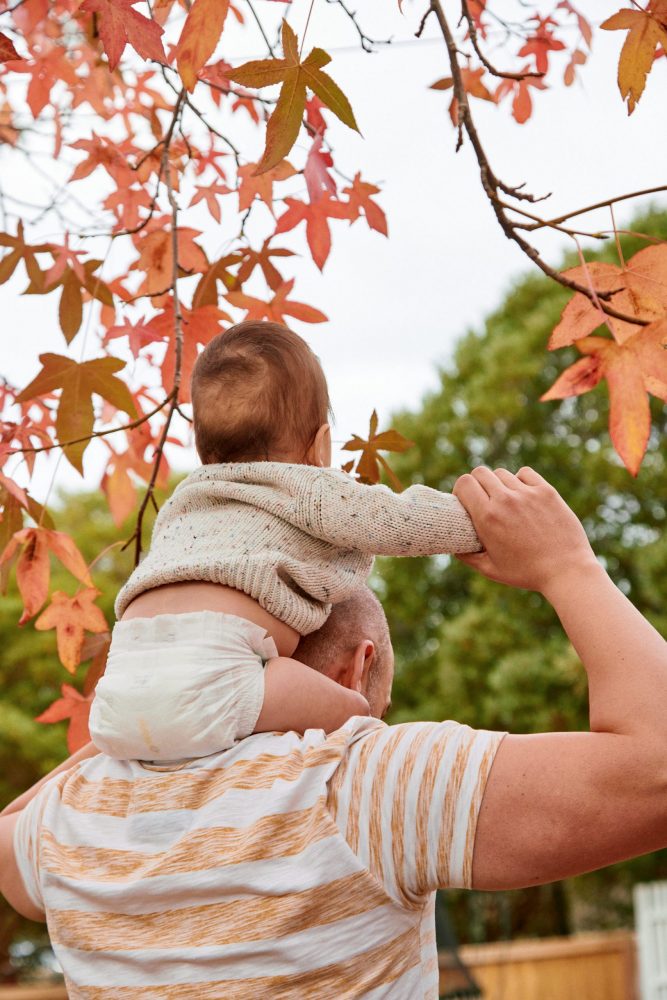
(305,866)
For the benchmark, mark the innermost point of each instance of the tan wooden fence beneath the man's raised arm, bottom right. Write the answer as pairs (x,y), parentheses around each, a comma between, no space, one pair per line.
(600,966)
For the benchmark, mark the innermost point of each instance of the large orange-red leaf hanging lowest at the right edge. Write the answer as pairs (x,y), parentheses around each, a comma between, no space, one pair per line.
(633,368)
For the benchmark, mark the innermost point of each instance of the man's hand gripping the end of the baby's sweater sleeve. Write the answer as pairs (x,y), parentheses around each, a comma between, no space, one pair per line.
(530,536)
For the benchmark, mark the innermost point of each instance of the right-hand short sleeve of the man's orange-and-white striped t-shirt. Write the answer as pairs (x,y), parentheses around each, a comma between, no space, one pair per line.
(408,800)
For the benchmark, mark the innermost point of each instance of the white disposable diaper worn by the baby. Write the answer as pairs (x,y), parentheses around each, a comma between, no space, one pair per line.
(180,685)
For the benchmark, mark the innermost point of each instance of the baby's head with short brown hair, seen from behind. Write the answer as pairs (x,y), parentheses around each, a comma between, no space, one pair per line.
(259,394)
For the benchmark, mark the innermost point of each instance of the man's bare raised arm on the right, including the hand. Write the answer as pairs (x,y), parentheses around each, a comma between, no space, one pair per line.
(558,804)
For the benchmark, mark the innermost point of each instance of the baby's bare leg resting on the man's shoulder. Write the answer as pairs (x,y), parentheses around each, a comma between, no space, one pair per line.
(296,697)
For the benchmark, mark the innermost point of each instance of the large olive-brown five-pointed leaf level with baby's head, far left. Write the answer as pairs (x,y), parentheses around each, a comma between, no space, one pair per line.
(79,381)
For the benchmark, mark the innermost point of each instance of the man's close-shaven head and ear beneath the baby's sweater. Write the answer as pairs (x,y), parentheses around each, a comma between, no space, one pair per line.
(356,632)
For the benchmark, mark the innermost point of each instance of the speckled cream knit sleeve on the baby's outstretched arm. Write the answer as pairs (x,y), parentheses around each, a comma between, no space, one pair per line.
(375,520)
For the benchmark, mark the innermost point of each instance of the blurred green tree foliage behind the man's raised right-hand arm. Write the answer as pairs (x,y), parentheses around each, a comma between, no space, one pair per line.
(497,658)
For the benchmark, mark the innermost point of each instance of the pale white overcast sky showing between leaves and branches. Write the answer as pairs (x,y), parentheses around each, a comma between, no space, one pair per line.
(396,306)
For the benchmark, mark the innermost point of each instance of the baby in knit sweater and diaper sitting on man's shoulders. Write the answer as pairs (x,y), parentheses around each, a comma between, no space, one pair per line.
(249,554)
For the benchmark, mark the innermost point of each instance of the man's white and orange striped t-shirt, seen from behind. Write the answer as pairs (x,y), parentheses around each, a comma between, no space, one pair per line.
(291,867)
